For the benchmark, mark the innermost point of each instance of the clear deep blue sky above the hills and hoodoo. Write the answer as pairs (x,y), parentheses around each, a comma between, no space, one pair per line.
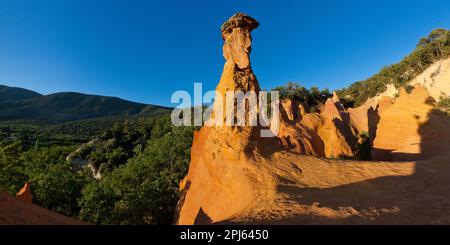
(145,50)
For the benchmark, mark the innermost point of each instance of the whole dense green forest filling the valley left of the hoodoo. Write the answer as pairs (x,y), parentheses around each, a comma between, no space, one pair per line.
(143,161)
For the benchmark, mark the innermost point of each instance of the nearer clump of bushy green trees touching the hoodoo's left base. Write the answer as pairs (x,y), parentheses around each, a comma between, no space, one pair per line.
(145,190)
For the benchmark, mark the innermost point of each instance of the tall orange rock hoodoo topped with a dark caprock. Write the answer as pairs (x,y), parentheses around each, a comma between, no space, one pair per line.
(220,172)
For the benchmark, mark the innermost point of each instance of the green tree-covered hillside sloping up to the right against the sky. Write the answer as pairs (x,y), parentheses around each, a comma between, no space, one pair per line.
(429,49)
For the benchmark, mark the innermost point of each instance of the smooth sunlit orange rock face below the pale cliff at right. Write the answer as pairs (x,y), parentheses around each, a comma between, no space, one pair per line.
(401,130)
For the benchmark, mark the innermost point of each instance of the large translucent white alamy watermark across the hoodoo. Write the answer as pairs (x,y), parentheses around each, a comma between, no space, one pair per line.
(231,109)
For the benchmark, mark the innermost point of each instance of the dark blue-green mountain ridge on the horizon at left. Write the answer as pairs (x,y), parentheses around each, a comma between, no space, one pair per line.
(24,104)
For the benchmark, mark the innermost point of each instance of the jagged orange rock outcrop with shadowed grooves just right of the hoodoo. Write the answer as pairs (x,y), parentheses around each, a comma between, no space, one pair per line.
(328,134)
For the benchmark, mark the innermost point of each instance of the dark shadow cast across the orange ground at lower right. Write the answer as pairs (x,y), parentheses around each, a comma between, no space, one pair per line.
(421,198)
